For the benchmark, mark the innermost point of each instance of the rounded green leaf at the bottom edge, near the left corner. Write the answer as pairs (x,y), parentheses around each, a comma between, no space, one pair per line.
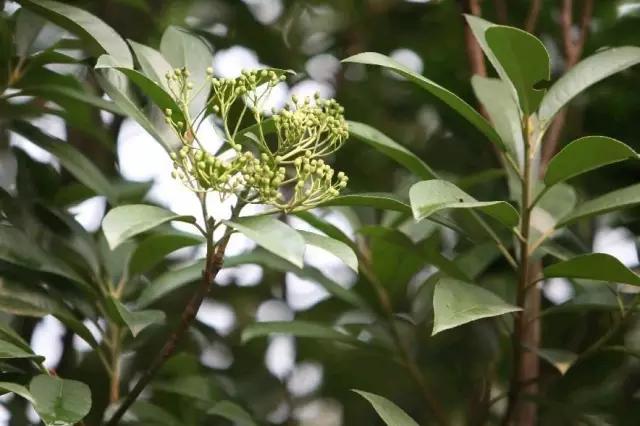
(60,401)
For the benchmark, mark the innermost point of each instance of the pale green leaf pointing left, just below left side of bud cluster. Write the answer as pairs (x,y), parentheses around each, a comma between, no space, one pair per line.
(122,223)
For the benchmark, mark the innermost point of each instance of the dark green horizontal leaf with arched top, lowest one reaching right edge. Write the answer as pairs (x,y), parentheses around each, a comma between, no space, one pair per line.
(593,266)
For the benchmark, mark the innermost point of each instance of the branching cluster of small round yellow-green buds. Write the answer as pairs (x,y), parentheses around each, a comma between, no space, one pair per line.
(277,160)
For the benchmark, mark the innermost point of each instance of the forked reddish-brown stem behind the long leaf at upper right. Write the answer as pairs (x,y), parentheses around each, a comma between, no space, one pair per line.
(573,50)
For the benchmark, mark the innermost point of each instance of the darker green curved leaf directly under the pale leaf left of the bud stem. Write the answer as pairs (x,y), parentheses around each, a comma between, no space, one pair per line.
(156,247)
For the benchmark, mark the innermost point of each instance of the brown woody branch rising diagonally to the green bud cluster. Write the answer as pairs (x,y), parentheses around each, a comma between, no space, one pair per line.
(213,264)
